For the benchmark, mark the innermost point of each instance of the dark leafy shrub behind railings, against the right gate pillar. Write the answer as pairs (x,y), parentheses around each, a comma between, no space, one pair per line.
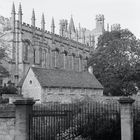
(98,121)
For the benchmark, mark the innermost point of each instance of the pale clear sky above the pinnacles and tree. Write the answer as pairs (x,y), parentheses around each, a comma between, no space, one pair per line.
(124,12)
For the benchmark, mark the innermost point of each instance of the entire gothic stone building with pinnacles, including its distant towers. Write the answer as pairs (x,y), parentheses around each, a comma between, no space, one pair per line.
(29,45)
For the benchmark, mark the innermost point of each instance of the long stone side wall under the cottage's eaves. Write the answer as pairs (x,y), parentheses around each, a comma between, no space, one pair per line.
(67,95)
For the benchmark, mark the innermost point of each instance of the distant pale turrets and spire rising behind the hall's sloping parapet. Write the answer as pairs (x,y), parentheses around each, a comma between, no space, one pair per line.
(82,34)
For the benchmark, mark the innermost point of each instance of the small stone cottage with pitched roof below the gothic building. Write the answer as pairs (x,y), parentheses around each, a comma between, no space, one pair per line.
(55,85)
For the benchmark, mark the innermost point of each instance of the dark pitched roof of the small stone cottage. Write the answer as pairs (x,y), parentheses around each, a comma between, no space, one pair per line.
(62,78)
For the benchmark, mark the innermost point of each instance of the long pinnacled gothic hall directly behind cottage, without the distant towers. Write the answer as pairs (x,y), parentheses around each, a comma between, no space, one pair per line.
(30,45)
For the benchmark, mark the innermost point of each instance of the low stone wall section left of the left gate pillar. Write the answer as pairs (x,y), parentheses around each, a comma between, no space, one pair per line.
(7,122)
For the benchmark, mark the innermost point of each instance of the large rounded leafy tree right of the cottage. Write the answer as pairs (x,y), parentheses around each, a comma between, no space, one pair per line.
(114,62)
